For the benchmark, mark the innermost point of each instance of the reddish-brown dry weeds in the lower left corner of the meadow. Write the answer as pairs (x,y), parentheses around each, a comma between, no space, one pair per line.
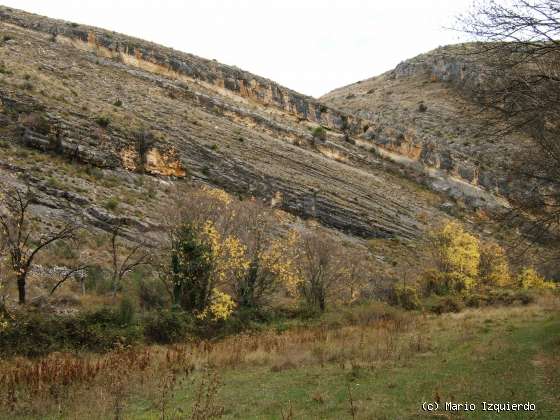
(55,384)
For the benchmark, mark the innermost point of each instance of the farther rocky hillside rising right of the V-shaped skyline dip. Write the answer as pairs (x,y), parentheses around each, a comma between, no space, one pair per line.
(424,115)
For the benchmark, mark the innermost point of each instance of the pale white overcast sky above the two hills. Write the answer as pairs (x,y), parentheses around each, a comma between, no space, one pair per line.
(311,46)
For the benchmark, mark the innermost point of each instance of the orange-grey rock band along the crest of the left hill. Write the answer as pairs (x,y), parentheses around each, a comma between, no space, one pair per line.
(239,88)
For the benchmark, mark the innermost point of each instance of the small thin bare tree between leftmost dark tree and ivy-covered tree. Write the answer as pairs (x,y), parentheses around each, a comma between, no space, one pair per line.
(123,260)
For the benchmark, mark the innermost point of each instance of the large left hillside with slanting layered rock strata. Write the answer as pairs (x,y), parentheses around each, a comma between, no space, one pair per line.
(123,106)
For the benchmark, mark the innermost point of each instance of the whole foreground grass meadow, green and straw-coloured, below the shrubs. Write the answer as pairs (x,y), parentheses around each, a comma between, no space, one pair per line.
(361,366)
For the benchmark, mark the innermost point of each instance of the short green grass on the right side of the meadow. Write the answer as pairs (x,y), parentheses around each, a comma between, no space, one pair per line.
(495,355)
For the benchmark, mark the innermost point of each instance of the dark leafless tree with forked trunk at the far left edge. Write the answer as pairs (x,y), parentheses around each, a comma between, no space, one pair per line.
(16,229)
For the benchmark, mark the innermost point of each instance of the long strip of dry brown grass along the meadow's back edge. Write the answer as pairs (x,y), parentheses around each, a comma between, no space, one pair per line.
(101,386)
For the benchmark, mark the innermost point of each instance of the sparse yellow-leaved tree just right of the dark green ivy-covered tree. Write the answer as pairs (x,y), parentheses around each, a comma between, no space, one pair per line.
(253,254)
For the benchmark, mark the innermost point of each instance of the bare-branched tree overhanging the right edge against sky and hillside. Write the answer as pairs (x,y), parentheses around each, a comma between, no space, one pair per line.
(520,84)
